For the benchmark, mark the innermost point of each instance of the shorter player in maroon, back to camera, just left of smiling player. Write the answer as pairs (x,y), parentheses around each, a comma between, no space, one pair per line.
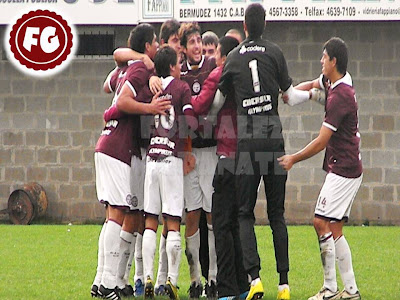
(164,171)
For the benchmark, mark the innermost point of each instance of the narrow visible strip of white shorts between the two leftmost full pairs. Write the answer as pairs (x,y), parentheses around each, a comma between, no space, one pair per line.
(138,170)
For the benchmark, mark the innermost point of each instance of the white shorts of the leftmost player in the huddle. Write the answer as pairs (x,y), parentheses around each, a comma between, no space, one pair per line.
(112,181)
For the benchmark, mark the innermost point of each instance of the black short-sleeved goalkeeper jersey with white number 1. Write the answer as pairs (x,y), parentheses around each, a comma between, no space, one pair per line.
(257,70)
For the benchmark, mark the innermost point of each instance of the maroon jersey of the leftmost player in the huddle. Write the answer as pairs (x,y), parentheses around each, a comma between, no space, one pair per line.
(119,138)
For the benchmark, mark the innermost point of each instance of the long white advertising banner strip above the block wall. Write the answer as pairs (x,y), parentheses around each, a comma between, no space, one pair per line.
(130,12)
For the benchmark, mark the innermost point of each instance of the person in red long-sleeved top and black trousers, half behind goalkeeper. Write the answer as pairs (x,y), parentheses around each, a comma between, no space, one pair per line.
(232,278)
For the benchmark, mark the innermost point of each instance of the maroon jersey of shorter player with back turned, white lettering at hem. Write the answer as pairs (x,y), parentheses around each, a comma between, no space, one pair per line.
(167,140)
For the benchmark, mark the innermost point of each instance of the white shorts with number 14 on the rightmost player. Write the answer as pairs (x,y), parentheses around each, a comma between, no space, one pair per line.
(337,196)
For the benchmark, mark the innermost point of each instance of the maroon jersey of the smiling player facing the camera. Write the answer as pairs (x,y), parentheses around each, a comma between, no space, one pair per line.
(195,75)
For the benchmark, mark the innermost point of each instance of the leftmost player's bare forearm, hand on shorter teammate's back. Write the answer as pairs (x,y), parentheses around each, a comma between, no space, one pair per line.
(127,103)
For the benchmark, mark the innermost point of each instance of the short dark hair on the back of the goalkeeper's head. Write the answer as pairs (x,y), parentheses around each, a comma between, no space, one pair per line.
(255,20)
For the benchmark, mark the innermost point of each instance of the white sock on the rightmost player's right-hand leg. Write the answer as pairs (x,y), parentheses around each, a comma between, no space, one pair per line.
(343,256)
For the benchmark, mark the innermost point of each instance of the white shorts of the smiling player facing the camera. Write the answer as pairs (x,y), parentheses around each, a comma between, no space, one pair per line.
(198,183)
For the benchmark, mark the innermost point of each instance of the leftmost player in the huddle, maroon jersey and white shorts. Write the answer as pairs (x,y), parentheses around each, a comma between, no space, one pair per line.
(113,156)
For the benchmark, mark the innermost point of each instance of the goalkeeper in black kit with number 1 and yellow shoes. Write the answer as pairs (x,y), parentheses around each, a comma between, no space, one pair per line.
(257,71)
